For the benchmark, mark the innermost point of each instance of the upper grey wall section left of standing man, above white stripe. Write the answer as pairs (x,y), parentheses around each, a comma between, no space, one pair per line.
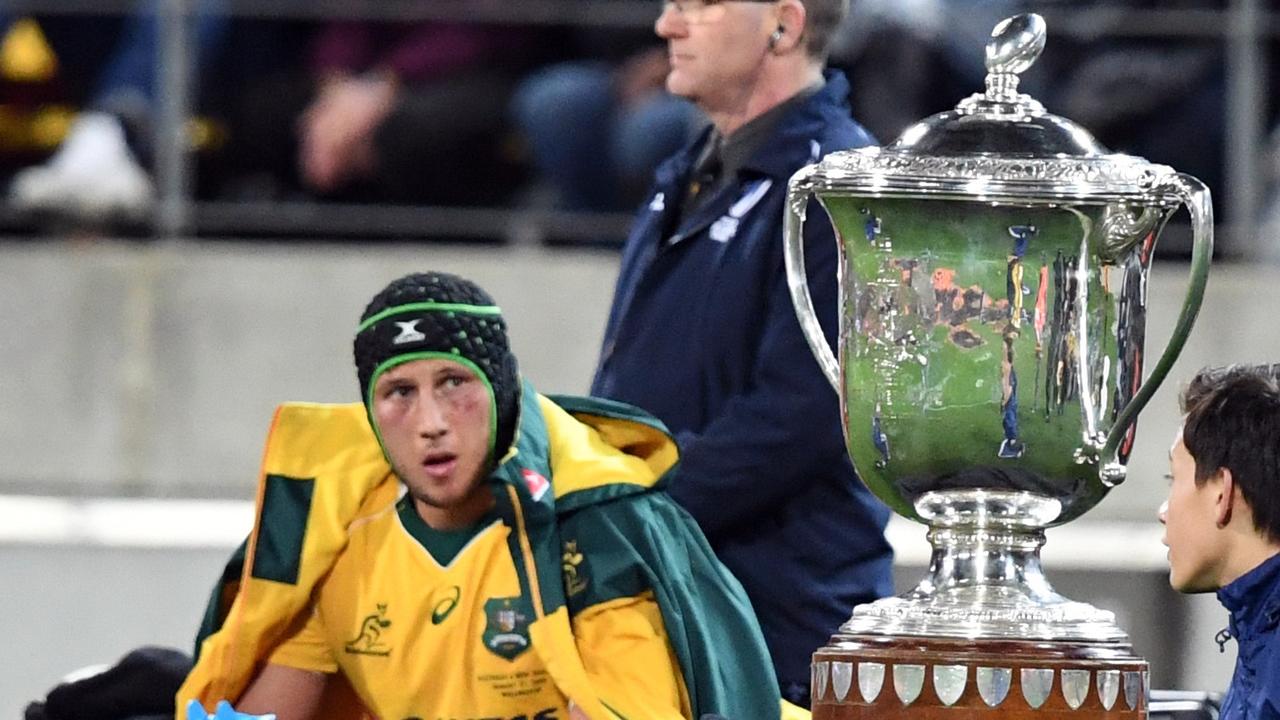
(156,370)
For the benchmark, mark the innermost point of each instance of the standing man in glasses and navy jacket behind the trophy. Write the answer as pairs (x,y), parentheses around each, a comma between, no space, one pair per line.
(703,335)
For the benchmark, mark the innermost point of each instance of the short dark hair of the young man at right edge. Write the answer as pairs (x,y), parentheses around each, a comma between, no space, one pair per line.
(1233,422)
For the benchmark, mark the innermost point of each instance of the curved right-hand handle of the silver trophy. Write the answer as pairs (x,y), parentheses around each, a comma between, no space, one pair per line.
(1196,198)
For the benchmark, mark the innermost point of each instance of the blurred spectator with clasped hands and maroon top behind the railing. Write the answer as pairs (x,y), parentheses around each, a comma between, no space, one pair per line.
(387,112)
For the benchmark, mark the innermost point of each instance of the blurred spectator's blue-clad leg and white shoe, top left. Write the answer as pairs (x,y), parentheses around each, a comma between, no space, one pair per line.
(98,171)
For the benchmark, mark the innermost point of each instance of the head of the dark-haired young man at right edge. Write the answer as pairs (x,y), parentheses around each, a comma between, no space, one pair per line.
(1223,514)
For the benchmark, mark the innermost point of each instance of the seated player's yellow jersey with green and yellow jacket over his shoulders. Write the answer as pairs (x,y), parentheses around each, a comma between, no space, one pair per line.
(633,617)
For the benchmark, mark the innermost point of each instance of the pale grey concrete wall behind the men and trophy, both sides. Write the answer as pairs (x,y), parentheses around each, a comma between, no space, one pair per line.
(153,371)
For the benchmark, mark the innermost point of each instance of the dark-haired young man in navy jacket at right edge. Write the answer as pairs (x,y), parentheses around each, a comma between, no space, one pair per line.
(1223,521)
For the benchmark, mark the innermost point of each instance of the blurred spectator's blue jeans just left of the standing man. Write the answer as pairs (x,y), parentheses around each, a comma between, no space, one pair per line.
(598,126)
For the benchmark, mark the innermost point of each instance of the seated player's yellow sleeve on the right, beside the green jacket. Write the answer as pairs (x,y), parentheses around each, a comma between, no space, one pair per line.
(627,654)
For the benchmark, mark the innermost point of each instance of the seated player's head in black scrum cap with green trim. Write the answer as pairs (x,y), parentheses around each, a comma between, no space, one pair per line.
(442,390)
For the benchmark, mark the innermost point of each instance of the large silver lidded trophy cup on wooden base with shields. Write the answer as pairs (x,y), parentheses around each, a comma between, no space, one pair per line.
(995,262)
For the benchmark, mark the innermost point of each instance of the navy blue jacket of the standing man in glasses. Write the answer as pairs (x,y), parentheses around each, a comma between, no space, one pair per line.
(703,335)
